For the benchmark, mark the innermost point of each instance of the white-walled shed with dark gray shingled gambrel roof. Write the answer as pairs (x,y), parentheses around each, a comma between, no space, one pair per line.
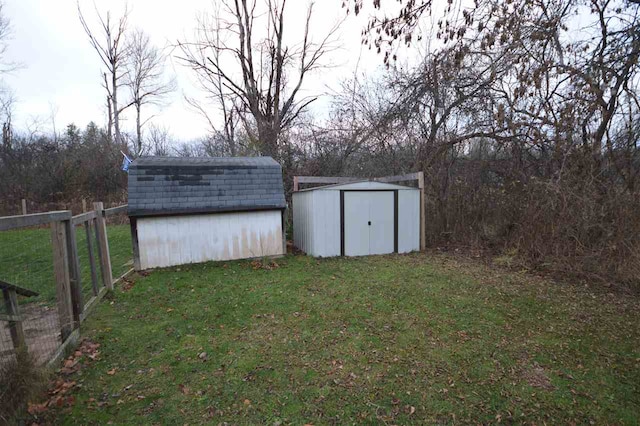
(190,210)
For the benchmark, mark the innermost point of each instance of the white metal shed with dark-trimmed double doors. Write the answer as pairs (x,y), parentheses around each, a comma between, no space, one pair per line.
(357,219)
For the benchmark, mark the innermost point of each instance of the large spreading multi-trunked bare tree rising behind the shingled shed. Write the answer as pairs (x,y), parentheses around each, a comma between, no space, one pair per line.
(261,75)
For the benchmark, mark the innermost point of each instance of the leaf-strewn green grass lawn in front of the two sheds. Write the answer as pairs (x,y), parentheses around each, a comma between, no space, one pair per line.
(393,339)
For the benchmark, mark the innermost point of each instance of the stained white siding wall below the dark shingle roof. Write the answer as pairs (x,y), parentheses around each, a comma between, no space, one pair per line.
(177,240)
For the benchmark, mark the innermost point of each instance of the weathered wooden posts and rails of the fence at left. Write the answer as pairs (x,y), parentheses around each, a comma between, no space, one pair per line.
(72,306)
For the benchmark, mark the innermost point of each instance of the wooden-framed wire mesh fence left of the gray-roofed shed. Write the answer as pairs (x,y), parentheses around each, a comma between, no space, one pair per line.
(54,266)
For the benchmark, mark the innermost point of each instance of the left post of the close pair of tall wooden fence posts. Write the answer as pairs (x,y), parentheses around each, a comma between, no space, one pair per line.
(61,271)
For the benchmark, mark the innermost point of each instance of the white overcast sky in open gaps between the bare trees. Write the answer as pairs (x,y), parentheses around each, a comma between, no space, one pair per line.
(61,73)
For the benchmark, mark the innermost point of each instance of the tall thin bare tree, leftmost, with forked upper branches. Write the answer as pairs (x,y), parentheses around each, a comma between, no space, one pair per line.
(109,42)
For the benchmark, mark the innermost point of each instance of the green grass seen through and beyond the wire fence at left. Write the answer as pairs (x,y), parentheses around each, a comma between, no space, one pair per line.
(26,258)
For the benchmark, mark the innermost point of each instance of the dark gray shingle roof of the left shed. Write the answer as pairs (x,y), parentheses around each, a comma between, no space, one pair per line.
(172,185)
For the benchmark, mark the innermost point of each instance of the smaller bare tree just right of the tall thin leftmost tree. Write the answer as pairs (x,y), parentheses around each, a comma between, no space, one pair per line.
(145,77)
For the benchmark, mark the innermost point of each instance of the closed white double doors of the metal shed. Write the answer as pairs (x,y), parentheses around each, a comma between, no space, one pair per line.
(369,222)
